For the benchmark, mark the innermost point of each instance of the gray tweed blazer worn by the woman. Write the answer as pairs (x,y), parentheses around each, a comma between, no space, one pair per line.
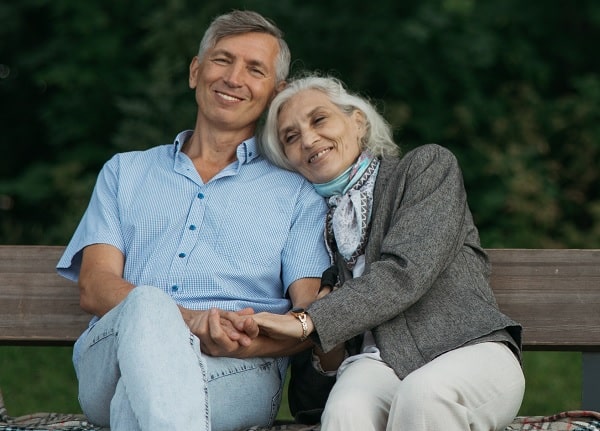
(425,289)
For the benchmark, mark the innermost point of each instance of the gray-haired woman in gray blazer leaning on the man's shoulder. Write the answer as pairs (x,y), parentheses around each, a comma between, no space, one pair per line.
(435,352)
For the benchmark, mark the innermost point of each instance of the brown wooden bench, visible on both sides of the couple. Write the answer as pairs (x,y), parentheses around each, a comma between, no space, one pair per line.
(554,294)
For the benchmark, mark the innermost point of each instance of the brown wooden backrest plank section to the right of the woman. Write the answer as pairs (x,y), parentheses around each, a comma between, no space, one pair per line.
(554,294)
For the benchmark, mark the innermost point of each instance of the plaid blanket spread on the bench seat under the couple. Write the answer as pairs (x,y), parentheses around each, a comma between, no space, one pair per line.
(566,421)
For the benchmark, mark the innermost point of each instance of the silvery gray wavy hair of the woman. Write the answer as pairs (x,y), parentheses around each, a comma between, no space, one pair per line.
(378,139)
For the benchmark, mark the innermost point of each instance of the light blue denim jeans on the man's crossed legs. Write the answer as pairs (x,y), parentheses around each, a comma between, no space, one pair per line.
(140,368)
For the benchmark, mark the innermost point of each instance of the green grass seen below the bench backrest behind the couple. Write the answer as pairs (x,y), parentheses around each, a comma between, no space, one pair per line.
(38,379)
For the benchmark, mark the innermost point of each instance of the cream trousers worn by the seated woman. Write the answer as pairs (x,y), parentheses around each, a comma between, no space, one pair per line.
(478,387)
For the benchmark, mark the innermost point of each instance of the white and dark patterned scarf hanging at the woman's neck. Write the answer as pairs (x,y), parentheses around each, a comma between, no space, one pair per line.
(349,215)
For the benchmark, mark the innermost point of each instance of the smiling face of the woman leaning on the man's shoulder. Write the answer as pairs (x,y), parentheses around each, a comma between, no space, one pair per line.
(319,140)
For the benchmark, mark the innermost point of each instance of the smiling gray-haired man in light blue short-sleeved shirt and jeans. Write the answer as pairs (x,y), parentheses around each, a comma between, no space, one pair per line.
(177,233)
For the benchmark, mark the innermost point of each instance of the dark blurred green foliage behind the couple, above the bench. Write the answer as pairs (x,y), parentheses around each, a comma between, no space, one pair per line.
(515,99)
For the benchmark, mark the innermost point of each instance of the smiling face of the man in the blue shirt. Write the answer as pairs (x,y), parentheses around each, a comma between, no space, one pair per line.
(235,81)
